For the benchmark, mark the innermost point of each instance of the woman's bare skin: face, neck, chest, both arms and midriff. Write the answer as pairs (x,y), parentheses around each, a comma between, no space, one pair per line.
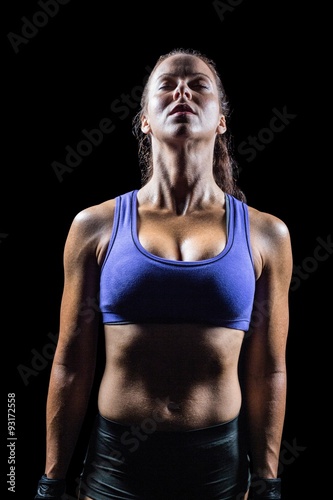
(182,376)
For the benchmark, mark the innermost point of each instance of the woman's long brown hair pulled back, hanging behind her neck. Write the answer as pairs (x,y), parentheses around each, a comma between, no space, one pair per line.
(225,168)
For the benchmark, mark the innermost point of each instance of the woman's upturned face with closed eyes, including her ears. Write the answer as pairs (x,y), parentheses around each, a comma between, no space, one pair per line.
(183,101)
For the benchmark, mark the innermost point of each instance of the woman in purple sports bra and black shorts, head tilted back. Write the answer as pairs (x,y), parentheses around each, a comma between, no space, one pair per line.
(193,292)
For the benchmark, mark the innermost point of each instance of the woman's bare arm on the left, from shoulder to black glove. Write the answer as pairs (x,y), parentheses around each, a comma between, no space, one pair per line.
(74,361)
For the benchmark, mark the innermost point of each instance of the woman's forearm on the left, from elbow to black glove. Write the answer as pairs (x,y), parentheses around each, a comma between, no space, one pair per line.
(67,402)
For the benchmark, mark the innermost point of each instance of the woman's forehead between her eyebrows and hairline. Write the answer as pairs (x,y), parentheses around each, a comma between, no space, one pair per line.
(183,65)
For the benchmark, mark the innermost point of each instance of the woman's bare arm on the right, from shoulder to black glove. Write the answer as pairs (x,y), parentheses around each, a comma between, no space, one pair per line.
(265,376)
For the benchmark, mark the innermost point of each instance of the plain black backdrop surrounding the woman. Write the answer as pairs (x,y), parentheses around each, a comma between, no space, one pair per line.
(64,79)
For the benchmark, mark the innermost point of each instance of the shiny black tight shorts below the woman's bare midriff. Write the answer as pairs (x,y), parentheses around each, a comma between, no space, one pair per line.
(132,462)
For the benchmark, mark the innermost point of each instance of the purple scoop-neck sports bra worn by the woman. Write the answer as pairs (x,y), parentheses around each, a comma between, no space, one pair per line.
(139,287)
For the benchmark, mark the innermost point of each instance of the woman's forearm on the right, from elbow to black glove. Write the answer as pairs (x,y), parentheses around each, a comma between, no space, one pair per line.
(266,399)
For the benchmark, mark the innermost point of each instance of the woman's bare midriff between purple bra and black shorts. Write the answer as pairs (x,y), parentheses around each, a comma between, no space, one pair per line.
(173,377)
